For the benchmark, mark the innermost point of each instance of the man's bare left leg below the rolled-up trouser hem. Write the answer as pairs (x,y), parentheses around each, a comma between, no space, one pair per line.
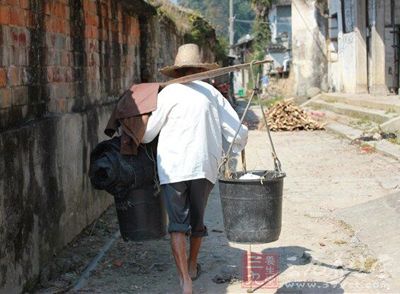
(178,245)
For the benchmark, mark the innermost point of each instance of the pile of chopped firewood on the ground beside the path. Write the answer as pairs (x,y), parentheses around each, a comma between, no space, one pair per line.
(286,116)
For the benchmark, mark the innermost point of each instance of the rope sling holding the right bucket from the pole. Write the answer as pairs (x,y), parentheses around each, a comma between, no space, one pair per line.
(256,91)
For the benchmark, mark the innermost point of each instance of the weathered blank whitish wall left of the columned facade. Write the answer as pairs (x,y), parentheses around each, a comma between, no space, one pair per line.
(309,48)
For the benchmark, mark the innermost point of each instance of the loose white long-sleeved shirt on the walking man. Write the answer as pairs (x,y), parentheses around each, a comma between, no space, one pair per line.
(191,120)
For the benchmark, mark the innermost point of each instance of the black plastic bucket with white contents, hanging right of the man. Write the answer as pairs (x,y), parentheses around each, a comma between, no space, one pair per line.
(252,209)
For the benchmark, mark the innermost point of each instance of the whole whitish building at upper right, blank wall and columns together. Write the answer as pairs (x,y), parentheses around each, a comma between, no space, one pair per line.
(349,46)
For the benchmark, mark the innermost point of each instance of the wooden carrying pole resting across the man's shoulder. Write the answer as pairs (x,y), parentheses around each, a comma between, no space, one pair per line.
(212,73)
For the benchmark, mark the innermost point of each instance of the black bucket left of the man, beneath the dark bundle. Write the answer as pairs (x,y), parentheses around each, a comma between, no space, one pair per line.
(141,215)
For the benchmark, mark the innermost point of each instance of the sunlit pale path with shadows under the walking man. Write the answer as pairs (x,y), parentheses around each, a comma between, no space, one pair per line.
(317,252)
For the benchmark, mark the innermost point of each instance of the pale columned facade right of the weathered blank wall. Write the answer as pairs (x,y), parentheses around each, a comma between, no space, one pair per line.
(362,60)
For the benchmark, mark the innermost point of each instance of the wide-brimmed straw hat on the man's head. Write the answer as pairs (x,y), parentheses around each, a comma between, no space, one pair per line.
(188,56)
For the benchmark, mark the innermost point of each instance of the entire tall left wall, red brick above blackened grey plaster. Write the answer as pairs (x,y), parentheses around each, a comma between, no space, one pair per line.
(63,63)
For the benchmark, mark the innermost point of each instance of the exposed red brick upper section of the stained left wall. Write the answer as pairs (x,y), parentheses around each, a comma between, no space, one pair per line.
(60,56)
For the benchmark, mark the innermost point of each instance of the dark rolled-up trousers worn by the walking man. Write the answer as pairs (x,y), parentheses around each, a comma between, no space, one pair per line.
(185,203)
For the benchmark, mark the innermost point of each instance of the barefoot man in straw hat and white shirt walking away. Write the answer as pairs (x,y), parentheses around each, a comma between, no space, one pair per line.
(191,120)
